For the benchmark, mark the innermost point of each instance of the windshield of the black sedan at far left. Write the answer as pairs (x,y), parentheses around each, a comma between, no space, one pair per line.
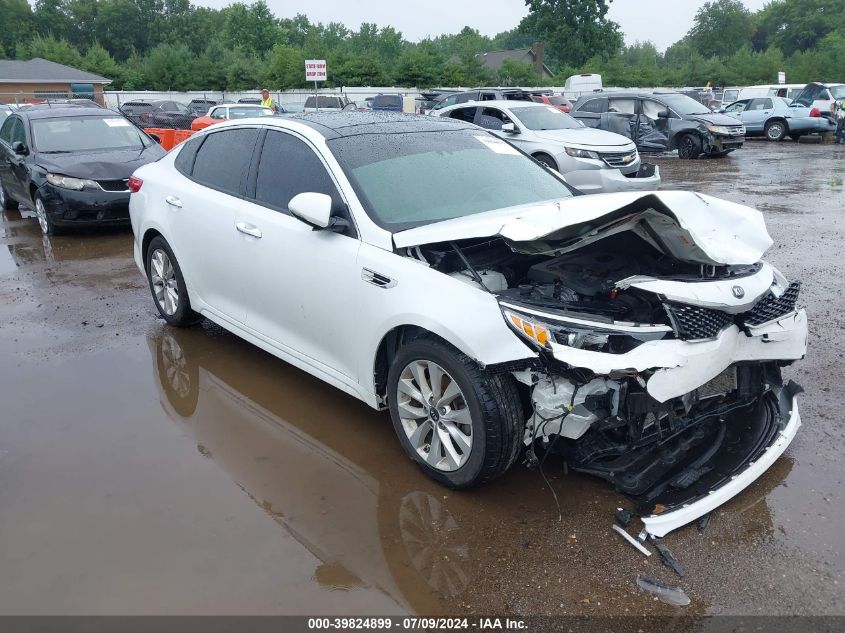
(86,134)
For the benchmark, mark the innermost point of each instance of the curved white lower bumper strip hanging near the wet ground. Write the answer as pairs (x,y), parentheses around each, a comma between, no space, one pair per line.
(659,525)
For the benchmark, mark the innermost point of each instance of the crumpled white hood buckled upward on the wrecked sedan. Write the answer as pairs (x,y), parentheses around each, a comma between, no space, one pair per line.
(688,226)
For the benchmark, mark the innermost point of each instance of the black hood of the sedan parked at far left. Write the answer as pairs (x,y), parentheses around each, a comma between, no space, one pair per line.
(109,165)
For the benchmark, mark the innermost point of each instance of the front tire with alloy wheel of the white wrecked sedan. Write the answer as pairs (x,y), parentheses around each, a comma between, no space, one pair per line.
(461,425)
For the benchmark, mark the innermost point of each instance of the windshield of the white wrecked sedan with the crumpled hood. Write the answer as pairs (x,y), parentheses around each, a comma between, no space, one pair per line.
(420,178)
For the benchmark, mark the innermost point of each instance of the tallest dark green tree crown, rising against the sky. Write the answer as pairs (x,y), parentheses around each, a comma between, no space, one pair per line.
(573,30)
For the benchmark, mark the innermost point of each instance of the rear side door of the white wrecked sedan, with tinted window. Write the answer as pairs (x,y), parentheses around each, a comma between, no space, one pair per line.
(201,214)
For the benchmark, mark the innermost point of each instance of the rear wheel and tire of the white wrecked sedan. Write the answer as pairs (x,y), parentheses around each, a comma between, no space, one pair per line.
(167,285)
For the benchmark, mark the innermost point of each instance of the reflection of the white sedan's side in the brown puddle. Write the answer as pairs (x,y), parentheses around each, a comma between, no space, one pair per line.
(320,463)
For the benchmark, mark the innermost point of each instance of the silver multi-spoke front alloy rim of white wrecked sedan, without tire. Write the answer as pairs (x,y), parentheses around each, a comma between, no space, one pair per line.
(435,415)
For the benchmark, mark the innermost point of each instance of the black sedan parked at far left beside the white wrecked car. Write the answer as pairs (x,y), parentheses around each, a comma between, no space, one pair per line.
(71,165)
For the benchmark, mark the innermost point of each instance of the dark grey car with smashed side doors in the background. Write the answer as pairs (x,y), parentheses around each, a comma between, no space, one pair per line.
(662,122)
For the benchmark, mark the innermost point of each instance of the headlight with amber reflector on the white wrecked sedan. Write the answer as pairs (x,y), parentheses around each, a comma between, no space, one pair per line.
(594,339)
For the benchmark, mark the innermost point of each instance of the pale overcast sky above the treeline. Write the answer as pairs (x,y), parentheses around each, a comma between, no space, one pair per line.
(661,21)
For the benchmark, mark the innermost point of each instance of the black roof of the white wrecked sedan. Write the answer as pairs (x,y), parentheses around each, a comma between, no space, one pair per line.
(332,125)
